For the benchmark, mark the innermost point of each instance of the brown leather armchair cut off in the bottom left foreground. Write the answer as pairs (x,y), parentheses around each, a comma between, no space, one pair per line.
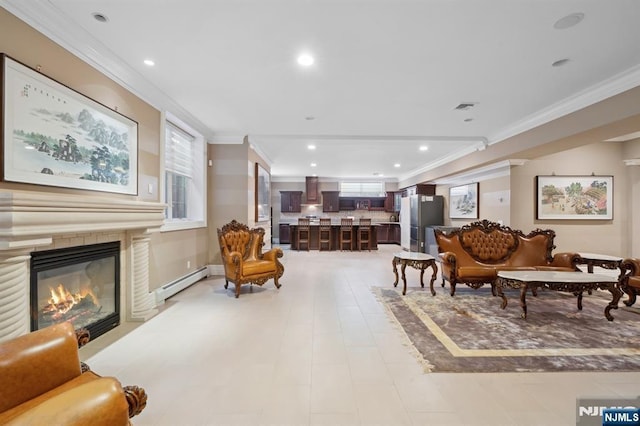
(44,383)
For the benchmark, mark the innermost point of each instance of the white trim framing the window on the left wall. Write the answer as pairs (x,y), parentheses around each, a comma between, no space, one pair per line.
(182,224)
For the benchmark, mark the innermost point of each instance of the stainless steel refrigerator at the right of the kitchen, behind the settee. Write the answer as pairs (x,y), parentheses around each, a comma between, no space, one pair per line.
(425,210)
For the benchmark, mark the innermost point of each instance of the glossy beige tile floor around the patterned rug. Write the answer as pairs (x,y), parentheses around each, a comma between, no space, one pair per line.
(319,351)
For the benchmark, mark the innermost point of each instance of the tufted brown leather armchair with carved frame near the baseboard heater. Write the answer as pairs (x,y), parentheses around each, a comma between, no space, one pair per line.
(244,262)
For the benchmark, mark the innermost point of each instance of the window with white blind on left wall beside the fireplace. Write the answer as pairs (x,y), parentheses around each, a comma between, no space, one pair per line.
(184,189)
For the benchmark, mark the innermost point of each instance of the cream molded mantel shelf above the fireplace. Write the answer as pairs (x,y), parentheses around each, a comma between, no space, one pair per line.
(33,218)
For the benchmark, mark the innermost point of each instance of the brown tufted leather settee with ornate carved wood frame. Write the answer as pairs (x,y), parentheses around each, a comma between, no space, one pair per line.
(475,253)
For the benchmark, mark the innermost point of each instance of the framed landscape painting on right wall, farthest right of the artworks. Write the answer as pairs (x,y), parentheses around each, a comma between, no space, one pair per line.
(574,197)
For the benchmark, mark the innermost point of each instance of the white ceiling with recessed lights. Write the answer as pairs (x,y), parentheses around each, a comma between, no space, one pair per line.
(387,77)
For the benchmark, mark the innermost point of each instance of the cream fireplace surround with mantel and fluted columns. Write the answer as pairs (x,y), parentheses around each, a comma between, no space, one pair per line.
(31,221)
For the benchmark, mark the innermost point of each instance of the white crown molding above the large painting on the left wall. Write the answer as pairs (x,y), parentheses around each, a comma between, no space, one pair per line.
(43,15)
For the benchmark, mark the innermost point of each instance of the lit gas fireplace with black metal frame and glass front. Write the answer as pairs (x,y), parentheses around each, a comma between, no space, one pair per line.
(77,284)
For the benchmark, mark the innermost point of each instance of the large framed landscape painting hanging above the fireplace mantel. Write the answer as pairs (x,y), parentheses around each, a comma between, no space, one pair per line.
(55,136)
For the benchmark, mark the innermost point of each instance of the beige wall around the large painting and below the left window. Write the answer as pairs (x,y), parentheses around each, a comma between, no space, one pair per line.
(169,252)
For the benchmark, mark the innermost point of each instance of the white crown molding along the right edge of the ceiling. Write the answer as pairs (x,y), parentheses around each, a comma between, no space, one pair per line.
(615,85)
